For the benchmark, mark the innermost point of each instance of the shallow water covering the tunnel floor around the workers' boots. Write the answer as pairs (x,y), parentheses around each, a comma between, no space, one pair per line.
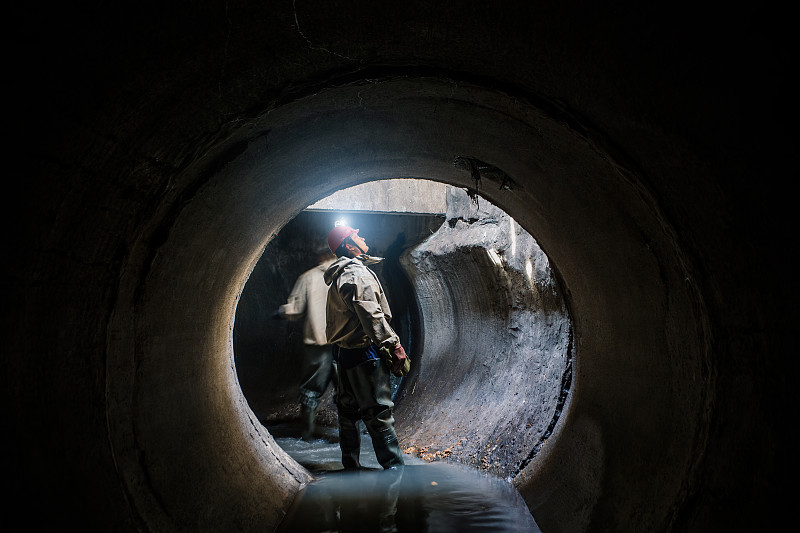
(419,497)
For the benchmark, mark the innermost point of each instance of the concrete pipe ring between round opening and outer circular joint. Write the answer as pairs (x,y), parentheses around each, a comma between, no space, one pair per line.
(189,450)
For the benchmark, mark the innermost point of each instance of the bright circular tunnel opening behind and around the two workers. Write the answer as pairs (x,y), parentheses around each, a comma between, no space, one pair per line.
(473,299)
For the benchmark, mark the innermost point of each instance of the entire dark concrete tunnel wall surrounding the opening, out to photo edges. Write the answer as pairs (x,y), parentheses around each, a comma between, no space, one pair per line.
(164,146)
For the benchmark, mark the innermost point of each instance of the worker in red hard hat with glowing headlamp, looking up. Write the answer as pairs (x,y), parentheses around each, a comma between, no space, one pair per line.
(365,350)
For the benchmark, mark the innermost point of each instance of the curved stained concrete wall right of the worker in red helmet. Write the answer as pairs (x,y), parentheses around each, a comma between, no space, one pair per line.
(495,371)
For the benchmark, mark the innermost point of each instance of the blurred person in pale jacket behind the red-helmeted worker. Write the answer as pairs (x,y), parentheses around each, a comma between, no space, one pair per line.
(307,300)
